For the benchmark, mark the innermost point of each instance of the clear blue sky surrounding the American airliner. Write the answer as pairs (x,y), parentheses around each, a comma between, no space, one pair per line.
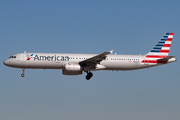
(68,26)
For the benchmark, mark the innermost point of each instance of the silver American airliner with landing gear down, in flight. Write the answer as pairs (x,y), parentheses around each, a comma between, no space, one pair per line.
(75,64)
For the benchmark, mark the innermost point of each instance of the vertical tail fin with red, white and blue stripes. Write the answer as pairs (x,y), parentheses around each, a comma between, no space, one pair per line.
(162,48)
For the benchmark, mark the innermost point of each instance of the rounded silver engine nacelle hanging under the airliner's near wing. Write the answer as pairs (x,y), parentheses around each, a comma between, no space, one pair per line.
(72,69)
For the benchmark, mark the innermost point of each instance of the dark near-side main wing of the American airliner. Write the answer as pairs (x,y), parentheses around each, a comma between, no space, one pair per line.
(96,59)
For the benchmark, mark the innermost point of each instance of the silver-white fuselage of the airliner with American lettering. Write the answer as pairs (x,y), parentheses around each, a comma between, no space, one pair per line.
(58,60)
